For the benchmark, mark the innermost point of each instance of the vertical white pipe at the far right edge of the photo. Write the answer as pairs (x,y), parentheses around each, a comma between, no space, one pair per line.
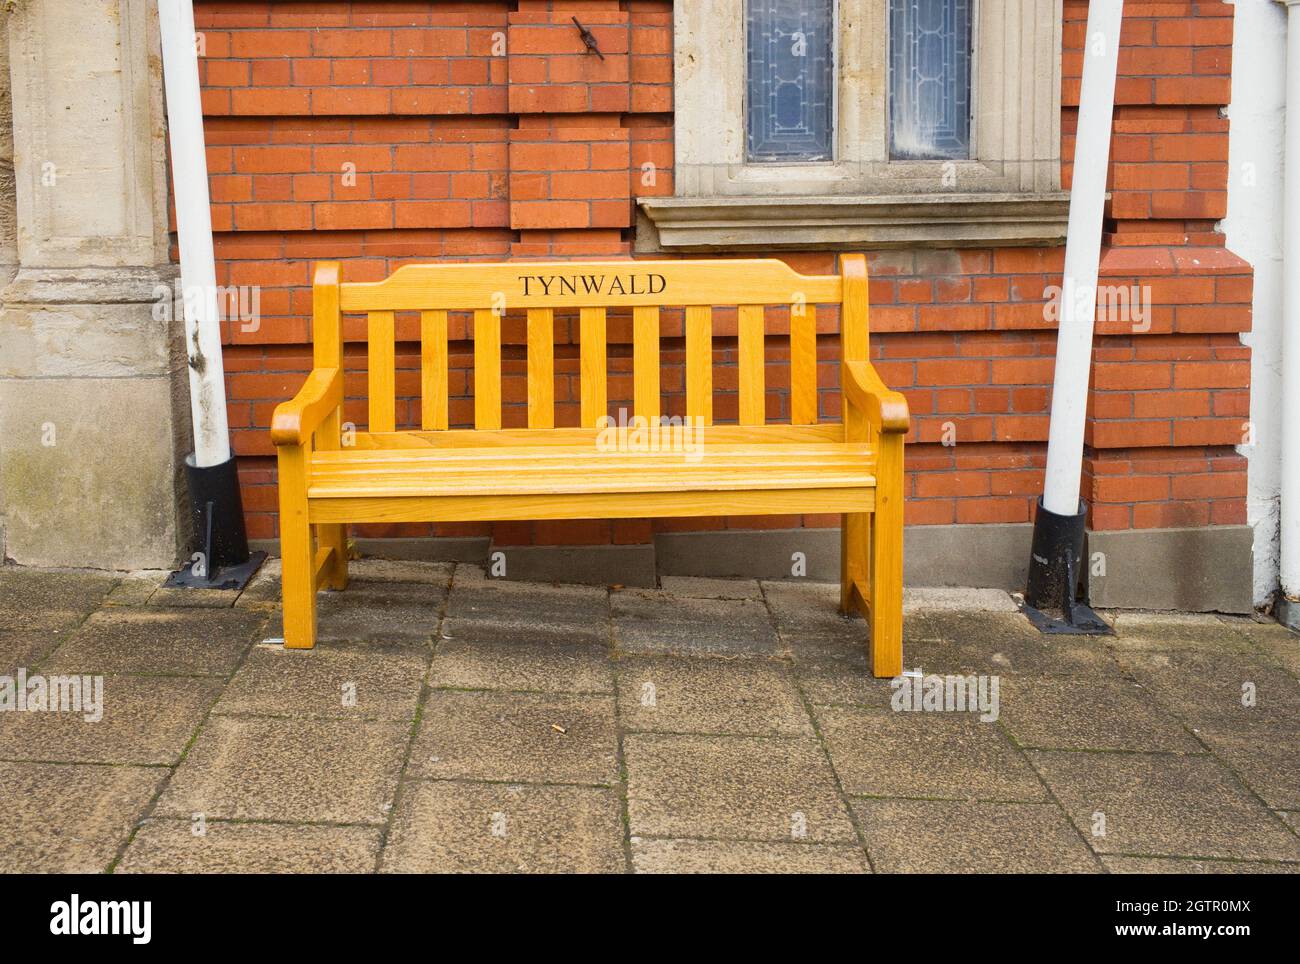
(1290,481)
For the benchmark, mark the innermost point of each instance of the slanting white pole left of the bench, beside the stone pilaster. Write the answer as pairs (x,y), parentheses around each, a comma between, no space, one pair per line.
(194,231)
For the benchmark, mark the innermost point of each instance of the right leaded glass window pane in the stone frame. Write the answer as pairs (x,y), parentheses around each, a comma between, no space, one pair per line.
(930,79)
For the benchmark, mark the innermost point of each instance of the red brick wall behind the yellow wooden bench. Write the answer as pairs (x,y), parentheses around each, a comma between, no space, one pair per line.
(482,131)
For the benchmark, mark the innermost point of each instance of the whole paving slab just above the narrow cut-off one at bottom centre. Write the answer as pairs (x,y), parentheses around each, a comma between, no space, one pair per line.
(740,788)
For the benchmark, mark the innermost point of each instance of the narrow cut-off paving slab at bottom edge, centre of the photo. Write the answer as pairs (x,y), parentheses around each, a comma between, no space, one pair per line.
(746,857)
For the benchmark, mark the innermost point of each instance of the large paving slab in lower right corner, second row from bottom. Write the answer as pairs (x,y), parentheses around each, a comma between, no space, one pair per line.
(1163,805)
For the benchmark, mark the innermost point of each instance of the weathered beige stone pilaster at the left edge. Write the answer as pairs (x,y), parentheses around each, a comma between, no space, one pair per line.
(93,414)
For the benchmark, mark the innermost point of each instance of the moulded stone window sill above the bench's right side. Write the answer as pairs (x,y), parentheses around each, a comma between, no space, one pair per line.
(869,222)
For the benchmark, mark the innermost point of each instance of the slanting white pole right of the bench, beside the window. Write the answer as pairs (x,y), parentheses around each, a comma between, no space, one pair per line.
(1082,255)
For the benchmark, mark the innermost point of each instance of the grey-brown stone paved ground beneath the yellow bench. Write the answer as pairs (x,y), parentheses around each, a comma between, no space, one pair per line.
(452,724)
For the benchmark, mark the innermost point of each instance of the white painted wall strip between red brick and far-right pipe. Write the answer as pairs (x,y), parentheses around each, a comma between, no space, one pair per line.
(1254,231)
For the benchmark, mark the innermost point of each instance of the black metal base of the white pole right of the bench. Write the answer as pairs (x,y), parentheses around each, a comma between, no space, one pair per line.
(1051,600)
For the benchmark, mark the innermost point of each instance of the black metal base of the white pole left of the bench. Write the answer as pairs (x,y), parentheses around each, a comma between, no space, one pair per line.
(223,559)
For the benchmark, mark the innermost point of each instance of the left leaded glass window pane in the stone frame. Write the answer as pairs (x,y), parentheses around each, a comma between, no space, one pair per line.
(790,110)
